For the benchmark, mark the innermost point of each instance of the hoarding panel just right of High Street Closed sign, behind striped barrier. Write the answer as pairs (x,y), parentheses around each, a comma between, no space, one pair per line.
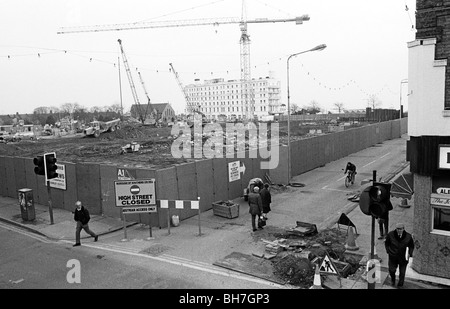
(166,188)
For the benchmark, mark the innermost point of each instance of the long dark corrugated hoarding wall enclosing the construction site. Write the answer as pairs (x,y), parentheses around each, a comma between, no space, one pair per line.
(207,179)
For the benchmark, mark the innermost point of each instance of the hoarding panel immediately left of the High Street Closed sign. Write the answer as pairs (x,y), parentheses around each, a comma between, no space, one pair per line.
(108,174)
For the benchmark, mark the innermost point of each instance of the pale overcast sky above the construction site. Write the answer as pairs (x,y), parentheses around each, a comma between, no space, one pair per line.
(366,52)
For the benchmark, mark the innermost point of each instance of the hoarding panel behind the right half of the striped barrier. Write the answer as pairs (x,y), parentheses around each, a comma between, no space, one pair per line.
(187,187)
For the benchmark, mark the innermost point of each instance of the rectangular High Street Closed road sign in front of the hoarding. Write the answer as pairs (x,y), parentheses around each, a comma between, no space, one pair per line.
(135,192)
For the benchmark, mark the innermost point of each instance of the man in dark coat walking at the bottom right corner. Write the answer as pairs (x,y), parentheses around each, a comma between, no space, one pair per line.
(396,243)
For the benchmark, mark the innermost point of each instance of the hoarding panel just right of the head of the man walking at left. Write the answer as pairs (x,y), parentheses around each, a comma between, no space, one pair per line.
(88,187)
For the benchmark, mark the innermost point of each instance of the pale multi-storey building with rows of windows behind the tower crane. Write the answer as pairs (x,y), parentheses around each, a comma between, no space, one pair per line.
(219,99)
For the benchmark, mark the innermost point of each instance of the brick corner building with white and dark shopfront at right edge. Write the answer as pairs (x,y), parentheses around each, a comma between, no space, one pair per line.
(429,130)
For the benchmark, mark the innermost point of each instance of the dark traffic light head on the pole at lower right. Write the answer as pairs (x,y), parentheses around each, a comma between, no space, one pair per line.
(375,200)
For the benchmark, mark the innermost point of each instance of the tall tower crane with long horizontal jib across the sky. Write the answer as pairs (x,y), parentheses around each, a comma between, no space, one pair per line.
(246,89)
